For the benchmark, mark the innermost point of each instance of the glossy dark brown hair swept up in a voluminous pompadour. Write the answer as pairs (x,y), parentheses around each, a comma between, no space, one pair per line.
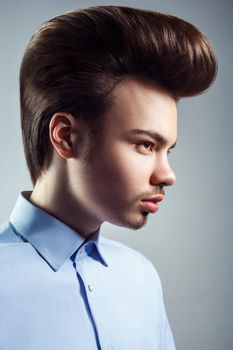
(74,61)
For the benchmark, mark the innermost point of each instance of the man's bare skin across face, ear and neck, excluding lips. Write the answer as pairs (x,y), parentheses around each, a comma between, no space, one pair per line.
(125,167)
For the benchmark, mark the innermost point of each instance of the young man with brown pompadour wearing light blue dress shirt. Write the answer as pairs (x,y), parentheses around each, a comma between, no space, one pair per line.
(98,90)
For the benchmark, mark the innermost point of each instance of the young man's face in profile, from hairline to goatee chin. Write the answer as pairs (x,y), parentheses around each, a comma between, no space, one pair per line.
(127,174)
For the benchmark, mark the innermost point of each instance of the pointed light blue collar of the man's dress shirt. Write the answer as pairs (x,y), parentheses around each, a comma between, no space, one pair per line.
(54,241)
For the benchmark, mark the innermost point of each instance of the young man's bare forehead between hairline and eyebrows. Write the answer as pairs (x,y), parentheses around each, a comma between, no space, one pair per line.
(137,104)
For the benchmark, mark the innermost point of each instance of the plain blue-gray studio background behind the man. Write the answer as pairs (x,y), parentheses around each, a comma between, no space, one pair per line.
(190,240)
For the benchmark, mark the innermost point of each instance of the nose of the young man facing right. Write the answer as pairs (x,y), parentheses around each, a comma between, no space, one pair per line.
(163,175)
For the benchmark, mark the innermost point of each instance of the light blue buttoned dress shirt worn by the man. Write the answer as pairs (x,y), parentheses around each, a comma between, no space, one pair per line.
(58,291)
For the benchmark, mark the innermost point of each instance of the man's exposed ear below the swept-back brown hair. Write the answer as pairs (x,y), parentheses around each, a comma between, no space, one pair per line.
(63,134)
